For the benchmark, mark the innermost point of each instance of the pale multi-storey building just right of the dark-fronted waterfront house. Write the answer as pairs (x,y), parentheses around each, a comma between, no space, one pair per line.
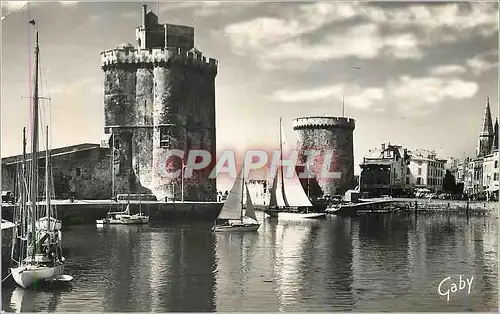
(425,170)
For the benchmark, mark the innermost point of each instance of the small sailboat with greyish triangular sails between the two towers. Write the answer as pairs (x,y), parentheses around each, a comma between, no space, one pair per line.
(233,216)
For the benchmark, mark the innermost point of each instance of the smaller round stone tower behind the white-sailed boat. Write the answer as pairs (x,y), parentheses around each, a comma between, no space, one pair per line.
(330,135)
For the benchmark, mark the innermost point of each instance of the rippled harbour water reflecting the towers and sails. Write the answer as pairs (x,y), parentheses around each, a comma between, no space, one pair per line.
(376,263)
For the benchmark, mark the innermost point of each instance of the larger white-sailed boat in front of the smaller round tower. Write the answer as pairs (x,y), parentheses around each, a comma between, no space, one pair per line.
(288,198)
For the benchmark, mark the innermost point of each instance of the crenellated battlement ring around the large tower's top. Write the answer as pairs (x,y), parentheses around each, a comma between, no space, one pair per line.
(129,55)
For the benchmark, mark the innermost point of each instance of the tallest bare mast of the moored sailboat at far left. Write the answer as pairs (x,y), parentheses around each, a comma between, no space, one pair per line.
(34,148)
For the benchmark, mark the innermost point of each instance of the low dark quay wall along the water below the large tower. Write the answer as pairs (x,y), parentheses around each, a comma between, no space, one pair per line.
(81,212)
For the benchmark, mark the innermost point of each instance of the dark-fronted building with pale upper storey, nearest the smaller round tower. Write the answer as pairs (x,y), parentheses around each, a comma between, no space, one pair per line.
(383,170)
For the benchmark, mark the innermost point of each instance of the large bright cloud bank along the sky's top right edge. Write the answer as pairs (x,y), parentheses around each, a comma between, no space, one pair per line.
(411,29)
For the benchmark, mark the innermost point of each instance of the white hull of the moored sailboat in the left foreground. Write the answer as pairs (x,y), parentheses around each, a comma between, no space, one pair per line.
(26,276)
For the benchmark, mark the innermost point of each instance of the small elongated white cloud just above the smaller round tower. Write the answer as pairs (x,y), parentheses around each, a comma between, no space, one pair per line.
(353,95)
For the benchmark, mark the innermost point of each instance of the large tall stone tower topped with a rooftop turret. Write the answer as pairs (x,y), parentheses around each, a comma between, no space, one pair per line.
(158,98)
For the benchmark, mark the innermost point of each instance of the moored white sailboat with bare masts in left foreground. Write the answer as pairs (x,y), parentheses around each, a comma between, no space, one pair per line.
(39,256)
